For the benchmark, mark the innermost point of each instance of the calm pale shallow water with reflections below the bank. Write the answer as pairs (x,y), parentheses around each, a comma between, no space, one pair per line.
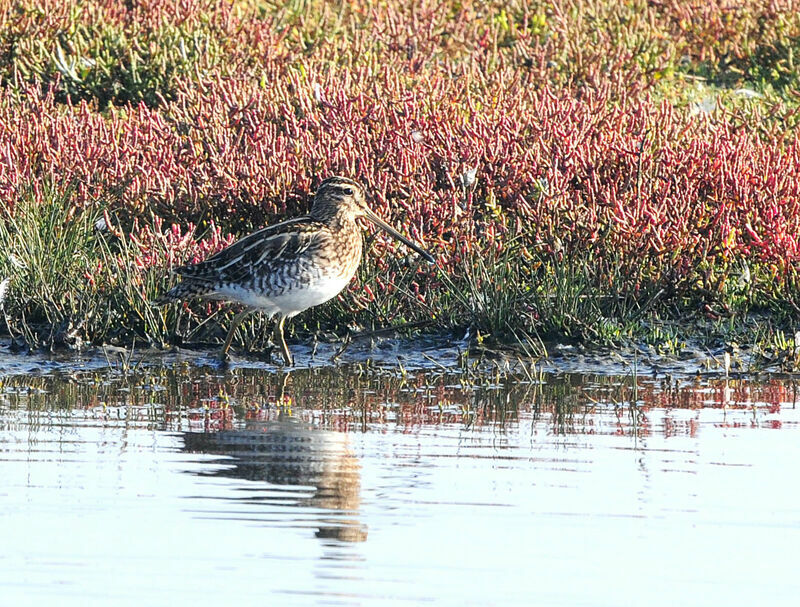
(360,485)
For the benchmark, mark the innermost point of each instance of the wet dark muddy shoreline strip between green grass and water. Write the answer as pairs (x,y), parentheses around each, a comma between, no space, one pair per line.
(445,353)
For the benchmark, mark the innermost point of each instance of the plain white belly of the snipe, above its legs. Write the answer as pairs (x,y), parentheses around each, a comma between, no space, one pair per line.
(291,302)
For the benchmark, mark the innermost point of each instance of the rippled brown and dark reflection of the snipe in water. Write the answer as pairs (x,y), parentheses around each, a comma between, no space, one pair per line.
(291,453)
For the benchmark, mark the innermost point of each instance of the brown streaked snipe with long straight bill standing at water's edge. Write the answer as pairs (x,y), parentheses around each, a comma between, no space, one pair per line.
(291,266)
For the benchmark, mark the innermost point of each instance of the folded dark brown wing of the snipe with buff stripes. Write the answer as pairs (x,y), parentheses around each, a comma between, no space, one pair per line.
(269,246)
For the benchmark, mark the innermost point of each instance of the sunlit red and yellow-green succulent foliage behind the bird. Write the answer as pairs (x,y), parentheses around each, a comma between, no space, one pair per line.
(570,142)
